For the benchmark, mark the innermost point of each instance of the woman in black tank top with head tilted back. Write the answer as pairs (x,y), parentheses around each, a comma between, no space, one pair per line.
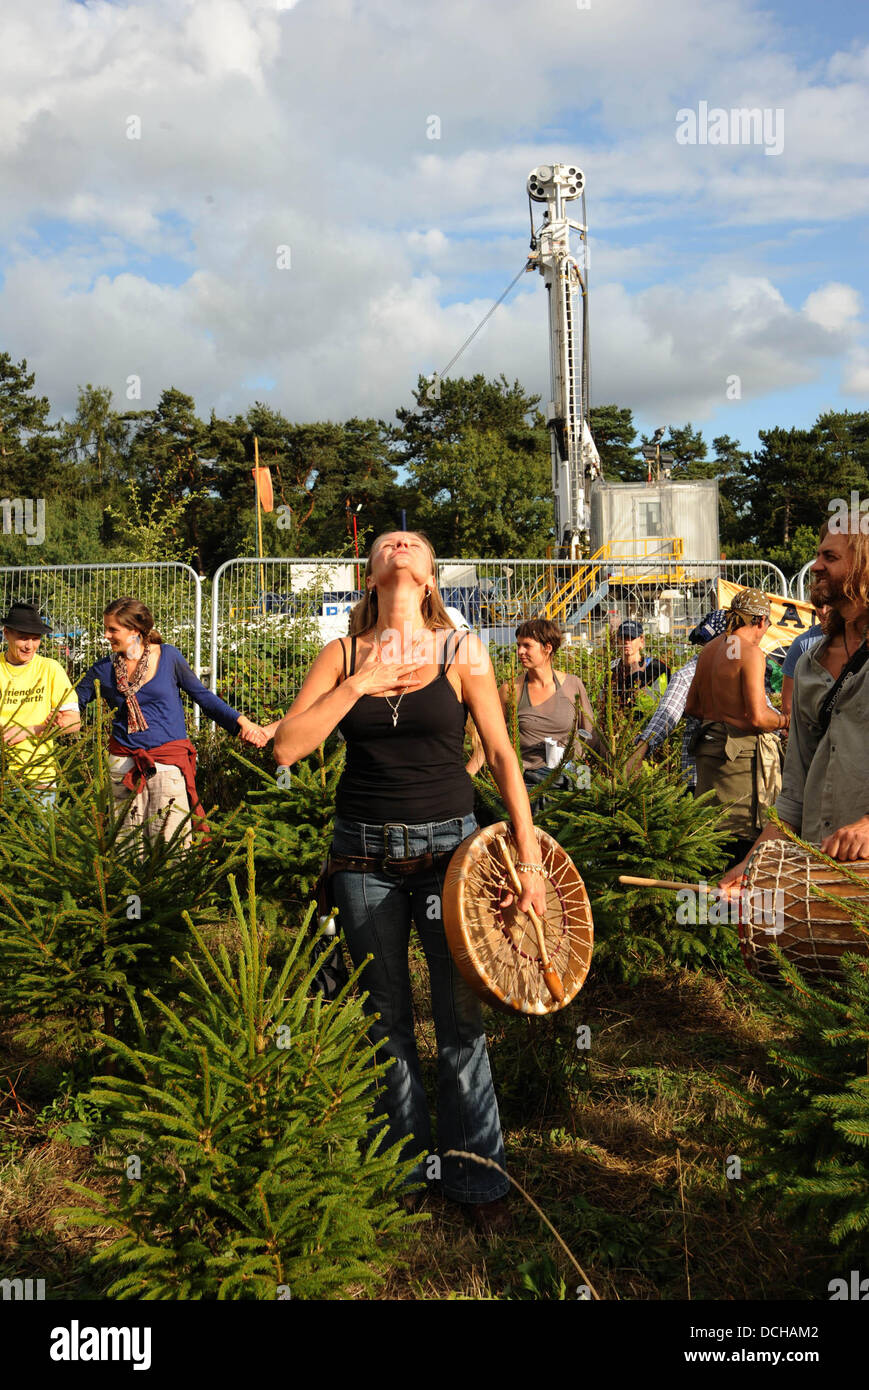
(400,689)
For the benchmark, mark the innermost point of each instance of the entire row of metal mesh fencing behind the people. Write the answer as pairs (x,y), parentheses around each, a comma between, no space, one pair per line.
(272,616)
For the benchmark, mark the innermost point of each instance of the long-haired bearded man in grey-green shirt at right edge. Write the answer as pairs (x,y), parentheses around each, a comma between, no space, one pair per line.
(825,786)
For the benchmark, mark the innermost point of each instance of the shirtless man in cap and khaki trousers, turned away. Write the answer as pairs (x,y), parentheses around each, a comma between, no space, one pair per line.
(736,753)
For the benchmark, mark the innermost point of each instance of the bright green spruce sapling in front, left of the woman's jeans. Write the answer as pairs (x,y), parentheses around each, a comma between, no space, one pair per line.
(243,1153)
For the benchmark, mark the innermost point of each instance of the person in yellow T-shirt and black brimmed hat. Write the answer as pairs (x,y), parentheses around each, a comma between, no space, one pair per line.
(37,698)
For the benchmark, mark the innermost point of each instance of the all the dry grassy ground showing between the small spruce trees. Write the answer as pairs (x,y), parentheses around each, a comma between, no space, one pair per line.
(600,1139)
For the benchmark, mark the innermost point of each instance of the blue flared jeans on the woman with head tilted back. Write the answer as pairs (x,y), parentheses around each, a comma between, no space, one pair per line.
(376,914)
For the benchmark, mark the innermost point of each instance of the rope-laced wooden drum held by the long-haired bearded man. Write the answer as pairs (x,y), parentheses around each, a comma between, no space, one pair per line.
(799,904)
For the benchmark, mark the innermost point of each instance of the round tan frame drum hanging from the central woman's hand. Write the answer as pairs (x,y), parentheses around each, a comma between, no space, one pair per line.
(510,960)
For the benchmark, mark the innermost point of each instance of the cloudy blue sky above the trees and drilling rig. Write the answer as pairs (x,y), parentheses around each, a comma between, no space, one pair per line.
(262,124)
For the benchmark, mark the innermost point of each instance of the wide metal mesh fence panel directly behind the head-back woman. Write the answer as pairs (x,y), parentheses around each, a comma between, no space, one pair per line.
(270,618)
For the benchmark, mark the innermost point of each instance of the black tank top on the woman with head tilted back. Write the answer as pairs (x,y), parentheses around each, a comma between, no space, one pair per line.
(411,771)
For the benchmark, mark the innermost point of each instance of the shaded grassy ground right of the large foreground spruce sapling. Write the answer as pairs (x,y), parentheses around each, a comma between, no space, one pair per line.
(599,1139)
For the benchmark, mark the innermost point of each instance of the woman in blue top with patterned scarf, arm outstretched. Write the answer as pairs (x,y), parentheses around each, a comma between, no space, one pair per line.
(149,749)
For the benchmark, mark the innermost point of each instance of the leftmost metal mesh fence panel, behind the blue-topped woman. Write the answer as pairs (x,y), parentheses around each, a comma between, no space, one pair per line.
(72,598)
